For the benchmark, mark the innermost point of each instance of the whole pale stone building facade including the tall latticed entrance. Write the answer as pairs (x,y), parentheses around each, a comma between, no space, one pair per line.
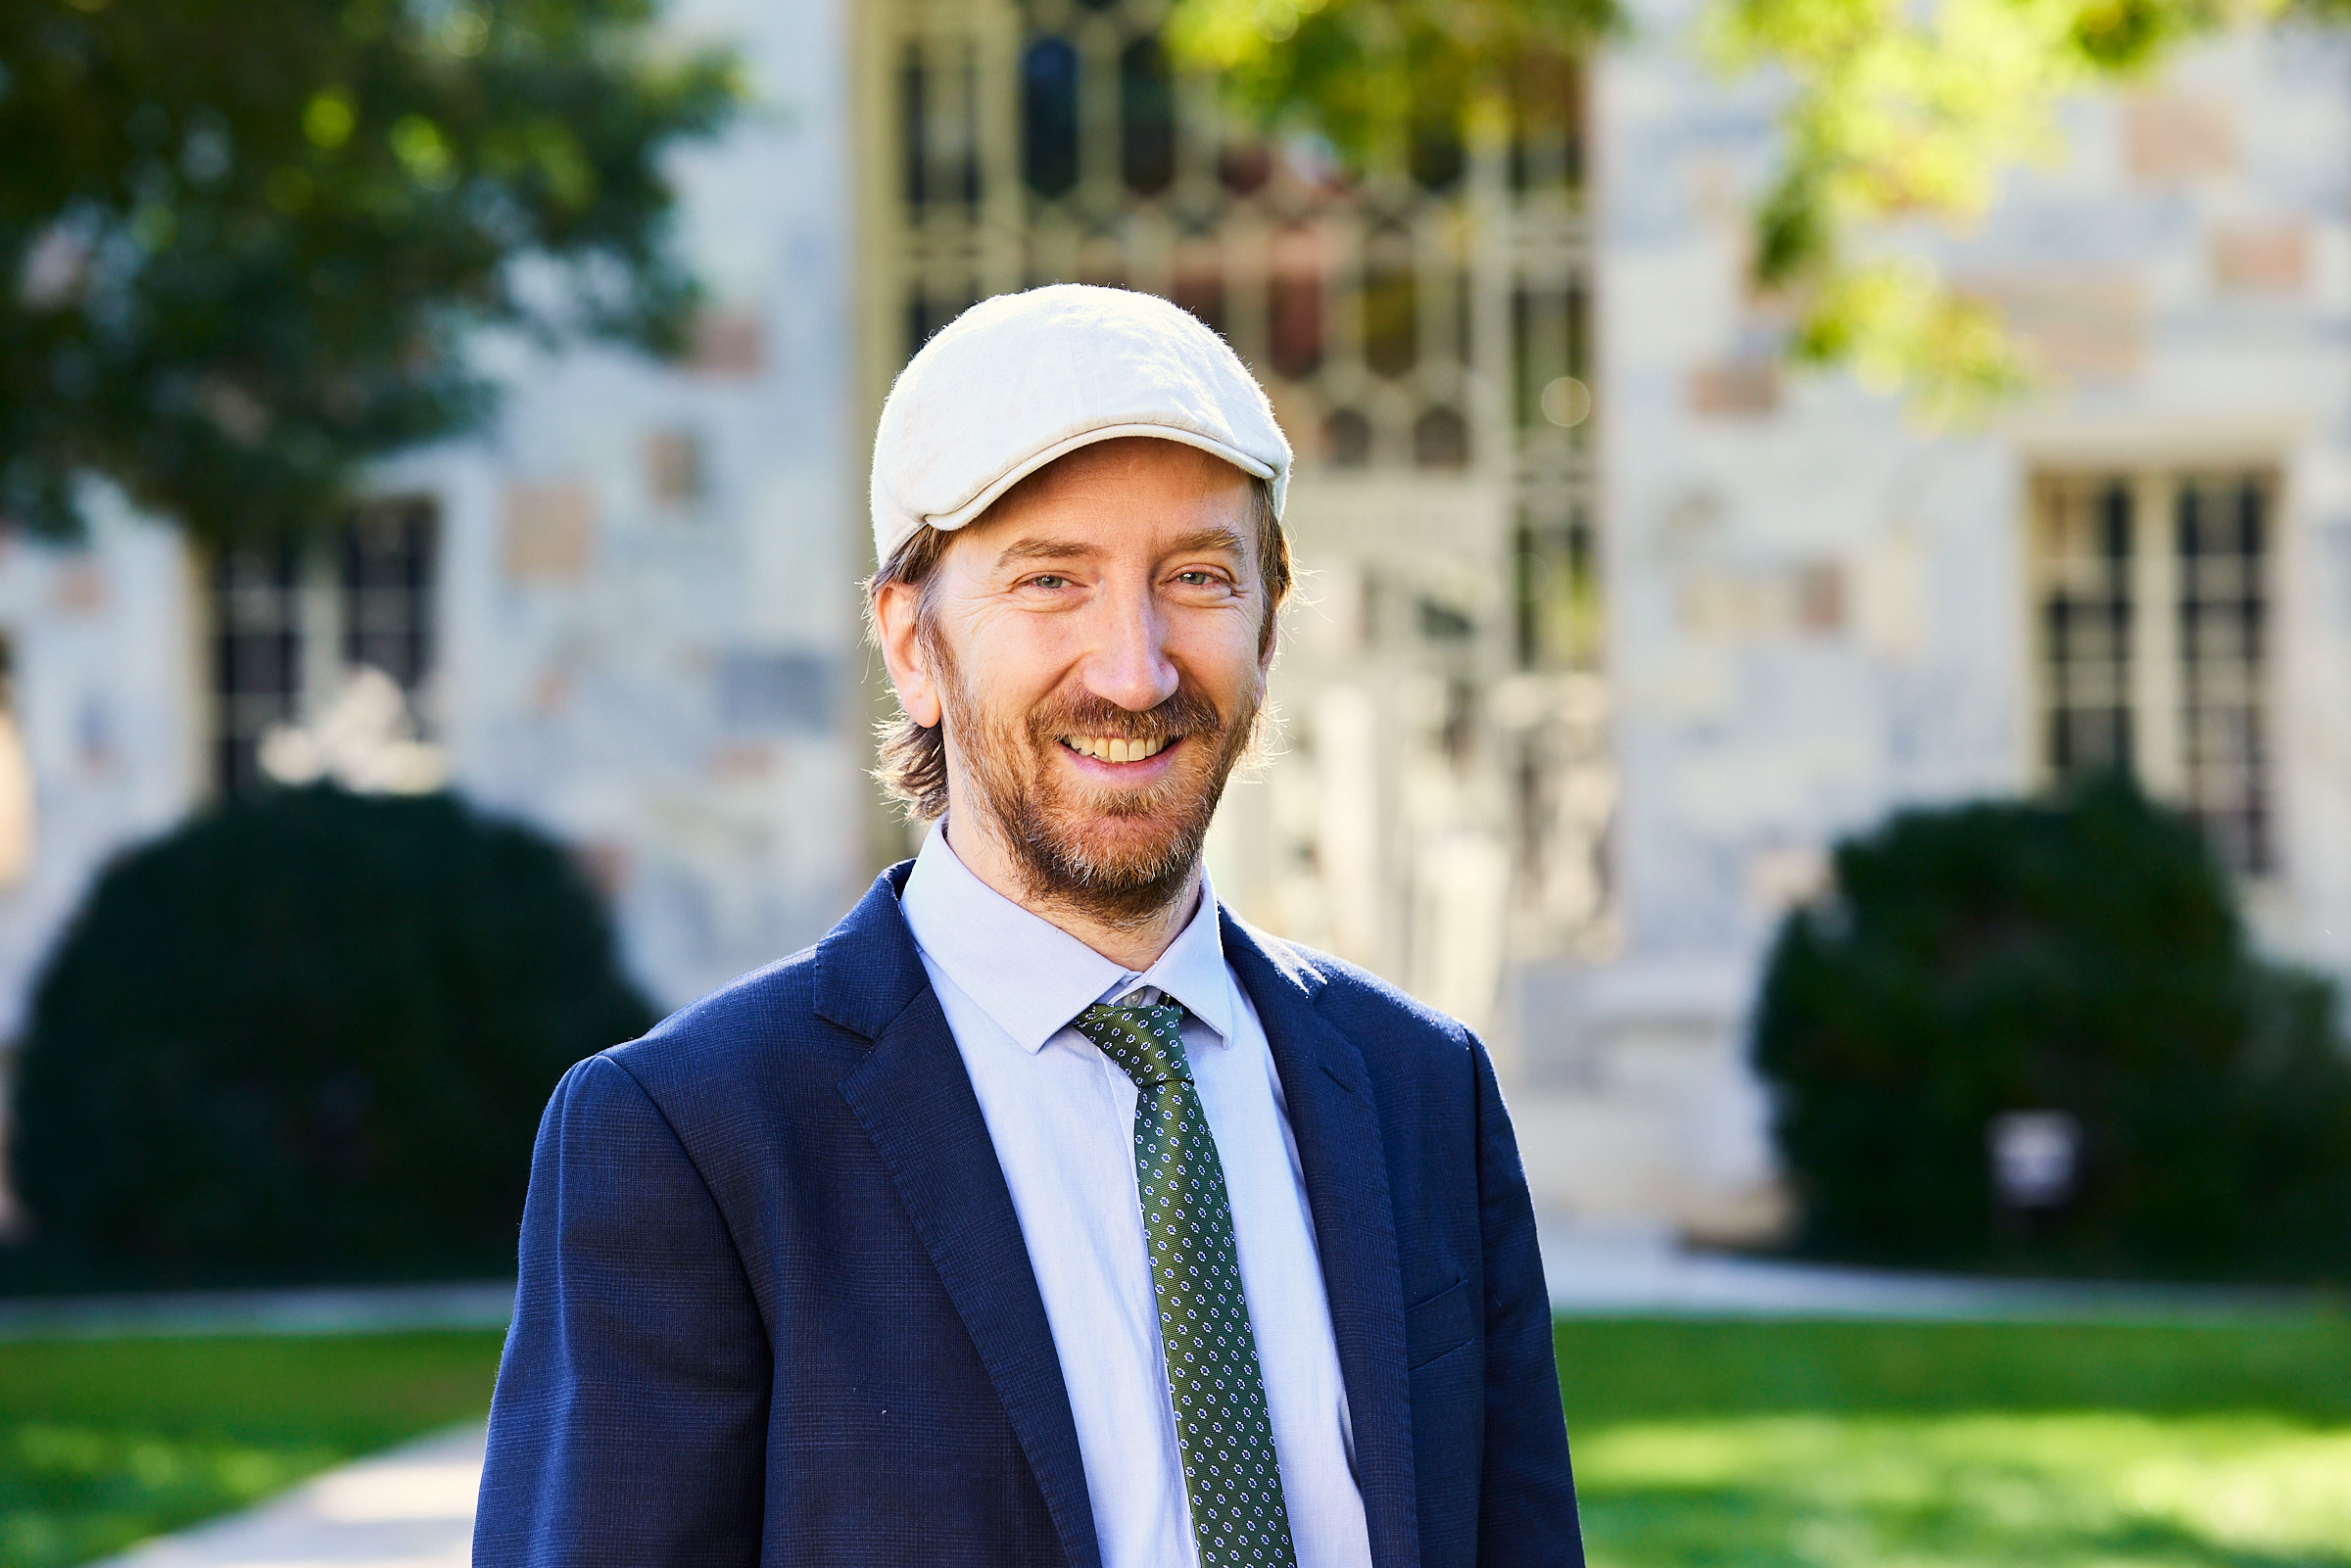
(1609,624)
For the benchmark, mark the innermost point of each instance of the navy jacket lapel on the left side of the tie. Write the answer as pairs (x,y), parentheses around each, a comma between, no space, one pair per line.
(916,1101)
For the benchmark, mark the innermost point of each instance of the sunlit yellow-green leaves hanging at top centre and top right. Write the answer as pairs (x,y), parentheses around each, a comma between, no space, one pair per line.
(1898,114)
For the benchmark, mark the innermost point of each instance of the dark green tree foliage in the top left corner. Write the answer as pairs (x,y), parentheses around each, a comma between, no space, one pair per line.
(241,243)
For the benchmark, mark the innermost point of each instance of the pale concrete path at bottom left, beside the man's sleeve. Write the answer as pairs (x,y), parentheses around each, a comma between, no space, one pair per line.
(410,1508)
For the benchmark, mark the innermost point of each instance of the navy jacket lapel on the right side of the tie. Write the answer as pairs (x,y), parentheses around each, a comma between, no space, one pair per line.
(1355,1228)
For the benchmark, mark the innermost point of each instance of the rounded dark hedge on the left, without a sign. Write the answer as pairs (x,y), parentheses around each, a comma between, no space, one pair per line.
(307,1038)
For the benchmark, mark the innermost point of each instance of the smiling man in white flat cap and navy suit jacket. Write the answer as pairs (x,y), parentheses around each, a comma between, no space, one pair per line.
(1043,1212)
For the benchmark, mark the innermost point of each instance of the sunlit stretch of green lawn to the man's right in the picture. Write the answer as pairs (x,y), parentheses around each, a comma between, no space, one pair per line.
(1962,1445)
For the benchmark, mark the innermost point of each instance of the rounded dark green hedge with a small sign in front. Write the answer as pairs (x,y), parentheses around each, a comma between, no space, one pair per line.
(2079,956)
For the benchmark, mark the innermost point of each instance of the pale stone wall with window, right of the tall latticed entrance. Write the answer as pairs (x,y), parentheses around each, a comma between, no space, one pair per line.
(1821,612)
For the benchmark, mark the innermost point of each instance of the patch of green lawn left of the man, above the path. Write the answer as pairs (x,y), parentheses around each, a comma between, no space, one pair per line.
(105,1442)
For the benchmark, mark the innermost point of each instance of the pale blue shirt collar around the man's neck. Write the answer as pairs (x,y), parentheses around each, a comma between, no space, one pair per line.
(1029,974)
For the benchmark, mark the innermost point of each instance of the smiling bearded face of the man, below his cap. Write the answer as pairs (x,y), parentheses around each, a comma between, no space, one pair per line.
(1097,650)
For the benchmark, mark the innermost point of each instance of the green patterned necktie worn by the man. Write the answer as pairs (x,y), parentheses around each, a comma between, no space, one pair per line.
(1214,1383)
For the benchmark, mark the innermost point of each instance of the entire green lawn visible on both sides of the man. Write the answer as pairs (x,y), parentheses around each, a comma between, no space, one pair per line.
(1696,1442)
